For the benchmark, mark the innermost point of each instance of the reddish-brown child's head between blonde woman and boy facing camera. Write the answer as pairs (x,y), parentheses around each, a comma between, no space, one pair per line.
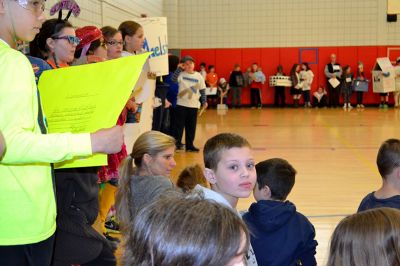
(190,177)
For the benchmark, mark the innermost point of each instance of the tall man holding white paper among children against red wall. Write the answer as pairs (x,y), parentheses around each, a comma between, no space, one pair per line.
(333,70)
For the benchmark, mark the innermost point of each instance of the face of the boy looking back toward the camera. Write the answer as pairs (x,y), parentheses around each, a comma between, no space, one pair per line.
(235,175)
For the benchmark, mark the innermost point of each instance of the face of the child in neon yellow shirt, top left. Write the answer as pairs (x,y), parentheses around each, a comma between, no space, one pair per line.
(25,18)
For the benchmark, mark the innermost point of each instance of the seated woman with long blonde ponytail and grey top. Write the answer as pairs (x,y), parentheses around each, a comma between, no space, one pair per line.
(144,174)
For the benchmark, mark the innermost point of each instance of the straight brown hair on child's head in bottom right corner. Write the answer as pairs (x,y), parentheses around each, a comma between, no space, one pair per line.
(367,238)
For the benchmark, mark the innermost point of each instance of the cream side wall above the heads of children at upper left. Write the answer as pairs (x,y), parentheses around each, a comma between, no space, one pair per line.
(112,12)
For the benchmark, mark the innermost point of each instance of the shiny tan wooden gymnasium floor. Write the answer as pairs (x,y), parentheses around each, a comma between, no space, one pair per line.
(333,151)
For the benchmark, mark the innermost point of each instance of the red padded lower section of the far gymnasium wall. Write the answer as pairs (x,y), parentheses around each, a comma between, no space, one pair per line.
(270,58)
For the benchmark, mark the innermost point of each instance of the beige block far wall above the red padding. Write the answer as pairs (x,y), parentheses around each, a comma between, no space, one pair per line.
(280,23)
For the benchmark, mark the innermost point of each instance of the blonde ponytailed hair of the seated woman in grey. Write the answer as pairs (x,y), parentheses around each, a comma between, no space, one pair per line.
(151,143)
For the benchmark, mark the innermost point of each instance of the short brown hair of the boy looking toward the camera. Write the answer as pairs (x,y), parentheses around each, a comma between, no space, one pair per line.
(216,145)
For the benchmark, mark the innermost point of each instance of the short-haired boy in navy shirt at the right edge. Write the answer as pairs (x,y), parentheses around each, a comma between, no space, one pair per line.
(388,161)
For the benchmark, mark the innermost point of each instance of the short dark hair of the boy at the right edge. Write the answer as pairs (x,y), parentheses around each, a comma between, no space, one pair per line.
(388,157)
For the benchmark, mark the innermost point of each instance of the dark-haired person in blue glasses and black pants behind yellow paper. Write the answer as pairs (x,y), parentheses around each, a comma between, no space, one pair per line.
(76,242)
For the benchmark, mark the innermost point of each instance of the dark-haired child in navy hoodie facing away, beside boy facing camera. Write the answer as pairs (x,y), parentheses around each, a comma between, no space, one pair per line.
(279,234)
